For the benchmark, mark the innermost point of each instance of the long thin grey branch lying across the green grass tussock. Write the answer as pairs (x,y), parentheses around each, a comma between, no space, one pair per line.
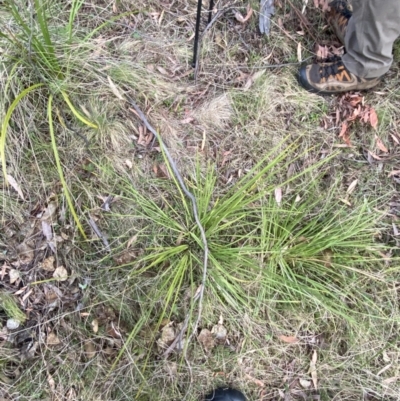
(200,293)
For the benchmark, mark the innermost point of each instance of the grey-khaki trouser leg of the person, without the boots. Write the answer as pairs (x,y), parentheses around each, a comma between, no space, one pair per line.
(371,32)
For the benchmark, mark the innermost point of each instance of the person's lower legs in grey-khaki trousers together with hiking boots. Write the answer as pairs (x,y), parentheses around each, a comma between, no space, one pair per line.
(369,36)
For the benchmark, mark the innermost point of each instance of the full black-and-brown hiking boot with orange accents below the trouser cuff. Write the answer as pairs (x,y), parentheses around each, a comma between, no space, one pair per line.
(331,77)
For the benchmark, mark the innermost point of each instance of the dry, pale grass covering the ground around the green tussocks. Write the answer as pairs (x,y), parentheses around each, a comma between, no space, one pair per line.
(216,121)
